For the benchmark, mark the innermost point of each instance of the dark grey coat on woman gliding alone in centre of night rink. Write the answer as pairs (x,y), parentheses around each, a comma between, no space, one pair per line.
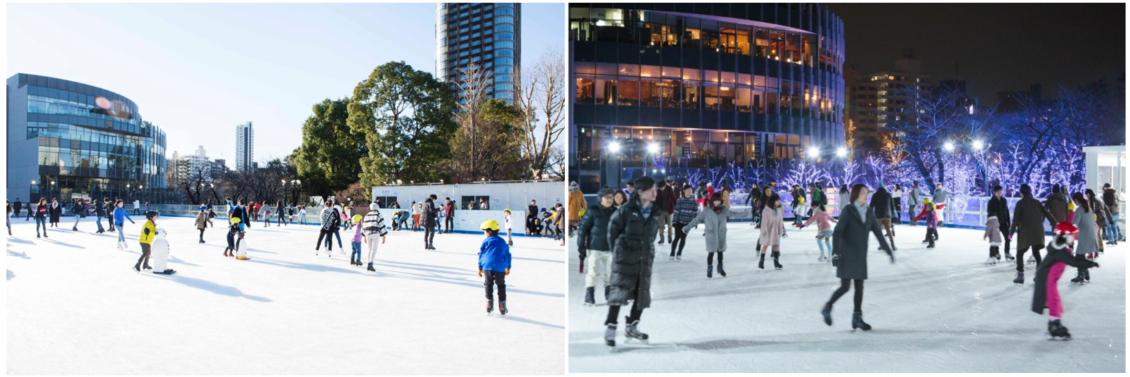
(849,242)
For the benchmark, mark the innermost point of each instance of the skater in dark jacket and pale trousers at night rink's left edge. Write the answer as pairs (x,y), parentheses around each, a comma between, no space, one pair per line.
(593,246)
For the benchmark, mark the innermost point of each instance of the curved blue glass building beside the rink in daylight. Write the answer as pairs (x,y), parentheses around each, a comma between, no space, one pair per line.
(68,141)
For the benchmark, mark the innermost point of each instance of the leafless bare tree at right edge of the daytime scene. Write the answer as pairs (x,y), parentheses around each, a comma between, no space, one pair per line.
(542,95)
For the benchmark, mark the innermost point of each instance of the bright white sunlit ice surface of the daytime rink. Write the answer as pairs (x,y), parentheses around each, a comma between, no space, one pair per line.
(76,306)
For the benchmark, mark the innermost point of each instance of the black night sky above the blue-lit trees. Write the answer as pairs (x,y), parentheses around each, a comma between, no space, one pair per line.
(998,47)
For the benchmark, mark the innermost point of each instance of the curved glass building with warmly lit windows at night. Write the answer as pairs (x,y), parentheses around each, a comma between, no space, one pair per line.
(664,90)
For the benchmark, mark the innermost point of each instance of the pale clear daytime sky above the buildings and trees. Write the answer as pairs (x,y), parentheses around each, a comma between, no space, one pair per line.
(198,71)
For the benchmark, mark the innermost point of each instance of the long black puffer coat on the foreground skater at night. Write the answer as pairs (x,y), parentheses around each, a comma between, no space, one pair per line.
(633,240)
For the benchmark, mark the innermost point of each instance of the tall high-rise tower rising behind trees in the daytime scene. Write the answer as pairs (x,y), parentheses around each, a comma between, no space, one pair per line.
(488,36)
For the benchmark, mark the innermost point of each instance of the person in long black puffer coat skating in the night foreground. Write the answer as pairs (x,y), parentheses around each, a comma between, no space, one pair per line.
(632,235)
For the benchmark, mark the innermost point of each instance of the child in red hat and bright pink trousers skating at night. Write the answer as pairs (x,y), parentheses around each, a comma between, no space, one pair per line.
(1048,275)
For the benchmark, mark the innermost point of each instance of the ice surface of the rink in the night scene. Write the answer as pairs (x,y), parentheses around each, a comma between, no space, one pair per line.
(933,311)
